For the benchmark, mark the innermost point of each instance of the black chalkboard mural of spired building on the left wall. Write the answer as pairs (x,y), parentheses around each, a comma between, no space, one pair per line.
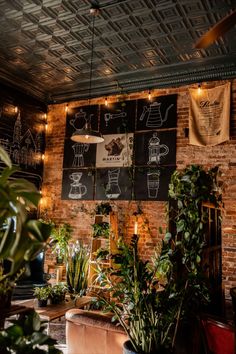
(22,135)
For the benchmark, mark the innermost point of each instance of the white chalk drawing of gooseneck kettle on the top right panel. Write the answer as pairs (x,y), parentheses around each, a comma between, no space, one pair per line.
(154,116)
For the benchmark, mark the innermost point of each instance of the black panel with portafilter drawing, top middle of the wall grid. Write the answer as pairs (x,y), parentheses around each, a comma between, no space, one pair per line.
(118,117)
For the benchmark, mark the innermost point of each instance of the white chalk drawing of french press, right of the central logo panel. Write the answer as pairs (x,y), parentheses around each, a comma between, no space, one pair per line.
(156,150)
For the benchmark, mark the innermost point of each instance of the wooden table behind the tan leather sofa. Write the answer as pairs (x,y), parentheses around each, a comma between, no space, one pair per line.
(53,312)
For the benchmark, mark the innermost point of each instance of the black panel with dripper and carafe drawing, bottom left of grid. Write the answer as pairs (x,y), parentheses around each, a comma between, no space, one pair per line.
(77,184)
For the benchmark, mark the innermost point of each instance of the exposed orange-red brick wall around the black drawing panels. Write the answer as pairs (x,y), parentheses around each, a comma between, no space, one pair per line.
(79,213)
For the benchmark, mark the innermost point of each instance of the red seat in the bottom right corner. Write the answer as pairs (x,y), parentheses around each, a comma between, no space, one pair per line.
(219,337)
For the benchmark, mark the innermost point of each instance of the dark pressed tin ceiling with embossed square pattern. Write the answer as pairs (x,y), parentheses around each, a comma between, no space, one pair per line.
(45,46)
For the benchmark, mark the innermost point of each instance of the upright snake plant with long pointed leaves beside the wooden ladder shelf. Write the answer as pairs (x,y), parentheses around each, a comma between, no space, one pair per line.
(77,265)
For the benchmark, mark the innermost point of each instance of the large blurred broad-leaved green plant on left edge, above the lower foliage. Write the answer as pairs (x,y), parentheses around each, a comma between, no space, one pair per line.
(21,238)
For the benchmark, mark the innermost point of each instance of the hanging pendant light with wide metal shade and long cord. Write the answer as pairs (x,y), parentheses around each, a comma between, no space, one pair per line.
(86,134)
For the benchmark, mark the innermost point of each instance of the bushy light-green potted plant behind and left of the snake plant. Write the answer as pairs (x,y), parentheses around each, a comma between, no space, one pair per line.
(60,237)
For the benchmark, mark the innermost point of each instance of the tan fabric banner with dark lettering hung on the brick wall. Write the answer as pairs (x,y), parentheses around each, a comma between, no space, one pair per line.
(209,115)
